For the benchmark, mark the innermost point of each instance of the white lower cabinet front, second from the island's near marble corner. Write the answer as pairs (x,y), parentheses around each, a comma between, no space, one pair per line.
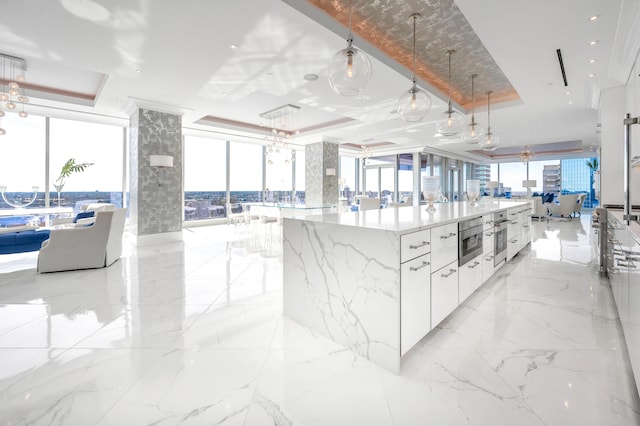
(444,292)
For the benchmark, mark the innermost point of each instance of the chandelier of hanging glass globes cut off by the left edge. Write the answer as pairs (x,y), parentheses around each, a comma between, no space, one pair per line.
(12,74)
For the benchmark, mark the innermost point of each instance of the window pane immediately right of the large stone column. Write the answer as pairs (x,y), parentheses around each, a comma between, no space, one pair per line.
(205,178)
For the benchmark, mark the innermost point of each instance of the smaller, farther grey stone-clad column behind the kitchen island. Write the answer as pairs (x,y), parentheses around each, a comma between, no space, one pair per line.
(321,174)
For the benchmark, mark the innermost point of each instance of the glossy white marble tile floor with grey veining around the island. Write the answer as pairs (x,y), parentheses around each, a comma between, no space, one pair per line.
(192,333)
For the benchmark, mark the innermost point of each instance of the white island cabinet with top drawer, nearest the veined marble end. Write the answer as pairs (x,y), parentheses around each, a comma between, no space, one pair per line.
(415,288)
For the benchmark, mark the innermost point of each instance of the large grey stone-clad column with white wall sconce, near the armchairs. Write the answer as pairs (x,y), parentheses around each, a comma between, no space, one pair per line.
(155,205)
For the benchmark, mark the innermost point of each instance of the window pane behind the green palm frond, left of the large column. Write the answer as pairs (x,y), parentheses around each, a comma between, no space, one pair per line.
(100,145)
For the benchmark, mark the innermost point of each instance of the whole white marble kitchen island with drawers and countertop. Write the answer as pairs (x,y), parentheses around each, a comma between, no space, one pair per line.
(377,281)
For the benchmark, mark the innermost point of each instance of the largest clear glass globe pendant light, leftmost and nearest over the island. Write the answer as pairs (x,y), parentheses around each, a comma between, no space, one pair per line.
(350,68)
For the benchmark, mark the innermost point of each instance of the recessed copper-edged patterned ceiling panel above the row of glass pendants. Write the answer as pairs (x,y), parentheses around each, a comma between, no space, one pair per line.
(387,25)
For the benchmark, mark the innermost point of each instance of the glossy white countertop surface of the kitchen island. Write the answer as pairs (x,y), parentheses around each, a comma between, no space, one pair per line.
(413,218)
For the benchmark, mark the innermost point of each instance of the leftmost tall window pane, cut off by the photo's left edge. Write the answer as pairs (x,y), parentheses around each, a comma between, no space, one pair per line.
(22,162)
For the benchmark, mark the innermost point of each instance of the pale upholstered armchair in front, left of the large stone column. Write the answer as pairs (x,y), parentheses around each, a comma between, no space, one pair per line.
(76,248)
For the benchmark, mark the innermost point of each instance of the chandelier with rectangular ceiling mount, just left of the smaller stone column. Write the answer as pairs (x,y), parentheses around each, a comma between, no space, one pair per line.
(282,125)
